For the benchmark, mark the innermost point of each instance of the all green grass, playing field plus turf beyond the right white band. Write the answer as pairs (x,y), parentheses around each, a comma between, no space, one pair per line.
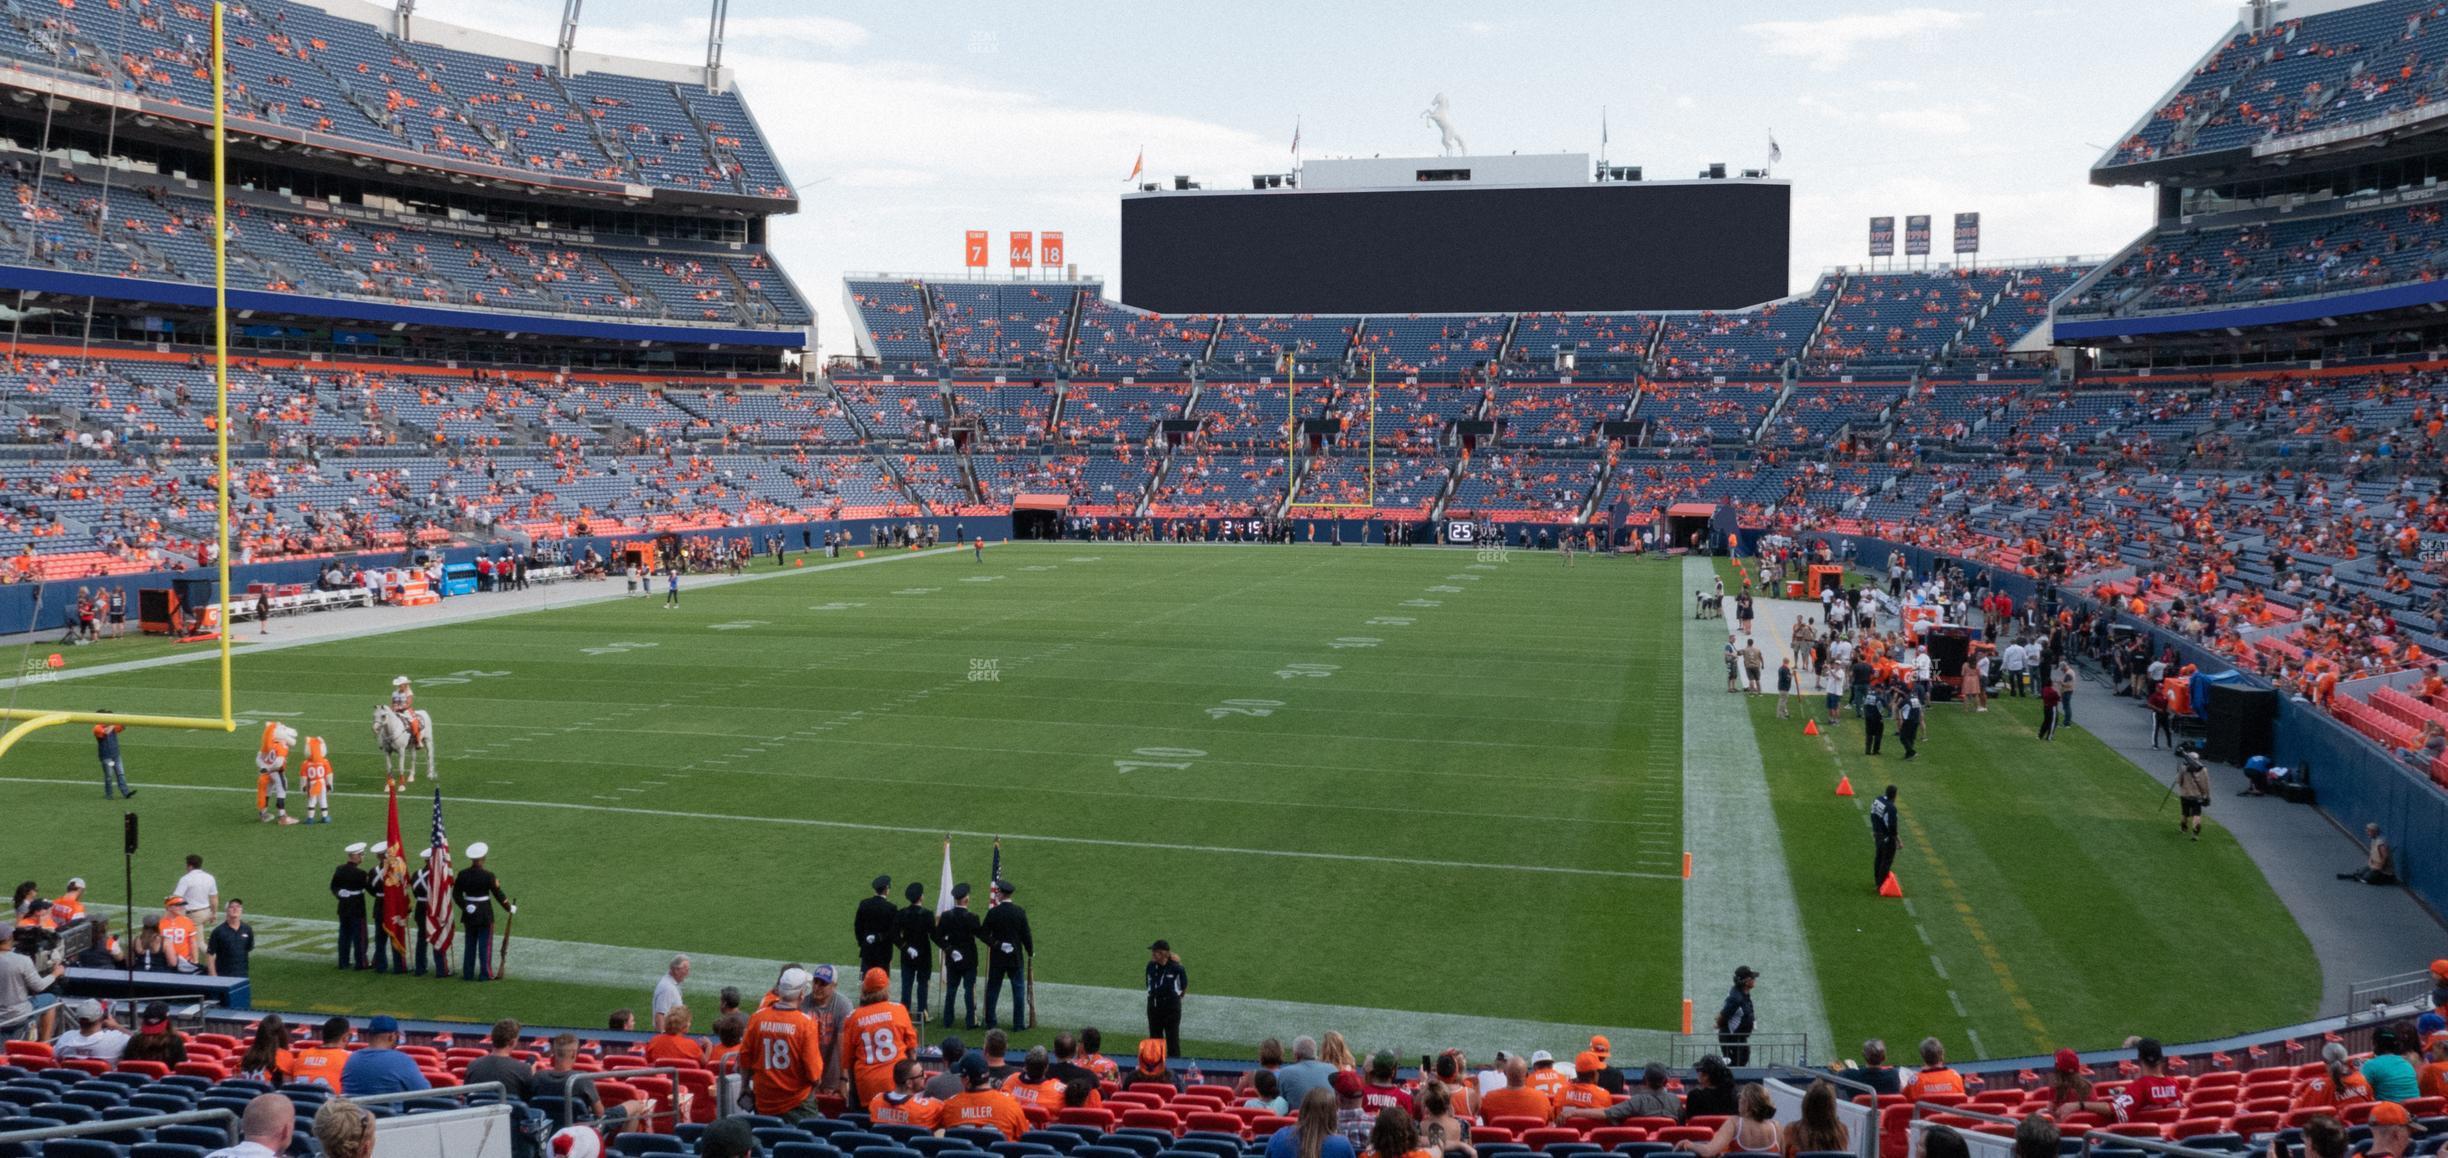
(1414,782)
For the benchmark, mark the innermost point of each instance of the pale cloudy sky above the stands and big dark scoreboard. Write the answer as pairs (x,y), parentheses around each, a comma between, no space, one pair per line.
(912,124)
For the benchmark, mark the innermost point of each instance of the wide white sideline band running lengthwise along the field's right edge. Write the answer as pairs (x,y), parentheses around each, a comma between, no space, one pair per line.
(1739,907)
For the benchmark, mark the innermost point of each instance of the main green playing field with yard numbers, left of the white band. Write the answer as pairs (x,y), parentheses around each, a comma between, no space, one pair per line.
(1409,782)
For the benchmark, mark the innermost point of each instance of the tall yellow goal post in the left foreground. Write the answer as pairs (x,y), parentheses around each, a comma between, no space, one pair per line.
(26,721)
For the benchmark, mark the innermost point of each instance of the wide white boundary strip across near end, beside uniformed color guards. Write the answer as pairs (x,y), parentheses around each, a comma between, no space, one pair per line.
(1061,1005)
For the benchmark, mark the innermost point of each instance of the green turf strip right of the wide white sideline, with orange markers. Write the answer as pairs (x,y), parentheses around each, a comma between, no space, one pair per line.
(2048,895)
